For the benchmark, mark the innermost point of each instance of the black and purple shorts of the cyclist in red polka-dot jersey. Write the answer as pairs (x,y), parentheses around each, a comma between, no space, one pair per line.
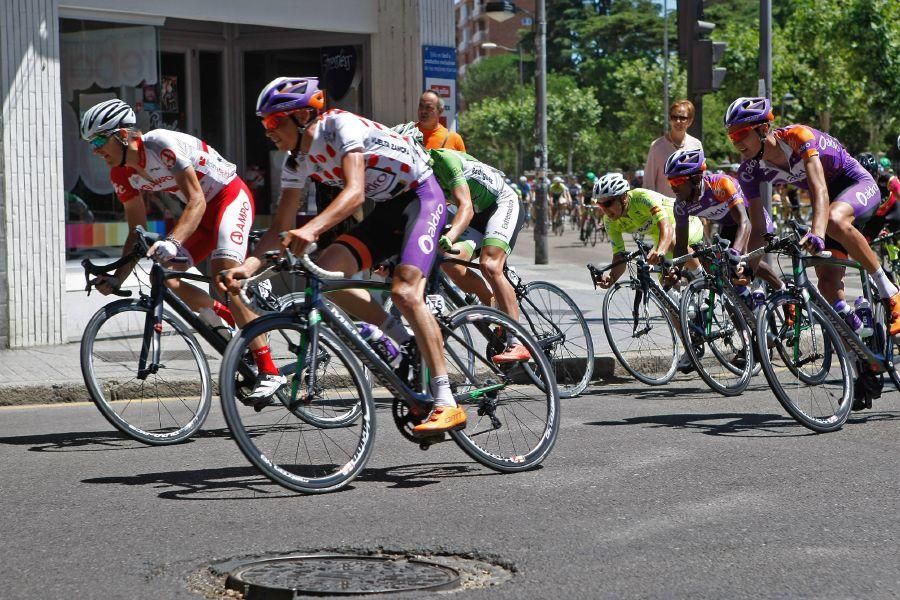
(409,225)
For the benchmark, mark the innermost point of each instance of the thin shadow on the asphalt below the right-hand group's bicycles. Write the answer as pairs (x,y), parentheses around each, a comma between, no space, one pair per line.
(736,425)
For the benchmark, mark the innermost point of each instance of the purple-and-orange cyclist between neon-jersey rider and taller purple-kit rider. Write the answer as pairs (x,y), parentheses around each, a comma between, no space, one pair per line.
(718,198)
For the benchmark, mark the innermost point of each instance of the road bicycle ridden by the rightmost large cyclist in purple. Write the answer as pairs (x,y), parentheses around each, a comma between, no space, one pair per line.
(809,364)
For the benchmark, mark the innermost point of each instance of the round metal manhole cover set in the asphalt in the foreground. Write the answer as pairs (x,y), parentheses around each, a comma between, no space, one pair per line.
(343,573)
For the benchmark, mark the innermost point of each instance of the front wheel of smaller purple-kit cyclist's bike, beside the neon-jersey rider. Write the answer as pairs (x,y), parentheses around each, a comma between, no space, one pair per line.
(718,338)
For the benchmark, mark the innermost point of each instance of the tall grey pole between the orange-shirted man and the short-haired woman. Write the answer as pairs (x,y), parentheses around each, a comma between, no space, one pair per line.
(541,254)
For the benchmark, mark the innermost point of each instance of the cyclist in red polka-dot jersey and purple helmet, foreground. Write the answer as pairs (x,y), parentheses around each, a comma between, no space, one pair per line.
(366,159)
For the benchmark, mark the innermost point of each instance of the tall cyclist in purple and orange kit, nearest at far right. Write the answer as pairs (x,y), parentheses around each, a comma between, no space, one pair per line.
(844,196)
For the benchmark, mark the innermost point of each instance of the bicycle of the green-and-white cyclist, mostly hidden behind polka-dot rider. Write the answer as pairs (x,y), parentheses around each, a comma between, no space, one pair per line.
(552,317)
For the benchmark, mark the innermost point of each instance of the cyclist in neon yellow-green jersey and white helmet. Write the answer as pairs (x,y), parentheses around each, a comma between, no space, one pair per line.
(627,210)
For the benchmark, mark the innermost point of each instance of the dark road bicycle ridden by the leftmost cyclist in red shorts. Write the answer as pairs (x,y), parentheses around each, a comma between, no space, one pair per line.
(143,367)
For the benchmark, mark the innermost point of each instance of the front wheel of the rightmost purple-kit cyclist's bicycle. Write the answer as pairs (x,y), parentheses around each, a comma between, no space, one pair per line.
(809,370)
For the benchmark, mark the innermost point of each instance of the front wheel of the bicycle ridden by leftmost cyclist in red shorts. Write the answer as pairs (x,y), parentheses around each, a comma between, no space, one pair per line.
(166,407)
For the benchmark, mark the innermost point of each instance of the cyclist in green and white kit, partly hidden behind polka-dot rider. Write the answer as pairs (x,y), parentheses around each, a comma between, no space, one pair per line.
(488,219)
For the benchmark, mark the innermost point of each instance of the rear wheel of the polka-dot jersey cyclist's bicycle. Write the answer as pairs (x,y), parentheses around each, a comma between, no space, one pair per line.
(512,422)
